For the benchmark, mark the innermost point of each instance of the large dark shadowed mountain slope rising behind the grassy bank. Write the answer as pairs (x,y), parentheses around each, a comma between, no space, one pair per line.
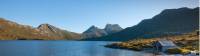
(168,22)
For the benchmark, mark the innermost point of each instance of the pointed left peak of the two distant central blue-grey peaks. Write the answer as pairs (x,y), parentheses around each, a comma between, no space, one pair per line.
(93,31)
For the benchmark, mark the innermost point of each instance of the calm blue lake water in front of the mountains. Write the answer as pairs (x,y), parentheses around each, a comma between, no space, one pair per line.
(62,48)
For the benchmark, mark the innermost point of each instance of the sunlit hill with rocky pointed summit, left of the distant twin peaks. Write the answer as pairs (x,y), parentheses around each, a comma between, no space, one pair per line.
(57,33)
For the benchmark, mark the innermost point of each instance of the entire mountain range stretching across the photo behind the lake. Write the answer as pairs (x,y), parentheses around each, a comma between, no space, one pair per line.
(168,22)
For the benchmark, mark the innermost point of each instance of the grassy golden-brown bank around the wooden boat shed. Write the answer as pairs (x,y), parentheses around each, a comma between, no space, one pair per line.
(186,42)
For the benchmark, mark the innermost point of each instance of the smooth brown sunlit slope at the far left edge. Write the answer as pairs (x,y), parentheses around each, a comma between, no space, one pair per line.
(10,31)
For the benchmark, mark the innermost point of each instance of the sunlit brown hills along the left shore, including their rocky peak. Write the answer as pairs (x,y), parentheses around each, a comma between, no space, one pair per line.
(13,31)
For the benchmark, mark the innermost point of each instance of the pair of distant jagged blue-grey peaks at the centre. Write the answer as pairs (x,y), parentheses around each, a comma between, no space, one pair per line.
(95,32)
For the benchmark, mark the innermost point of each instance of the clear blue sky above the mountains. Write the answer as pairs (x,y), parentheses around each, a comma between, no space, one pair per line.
(79,15)
